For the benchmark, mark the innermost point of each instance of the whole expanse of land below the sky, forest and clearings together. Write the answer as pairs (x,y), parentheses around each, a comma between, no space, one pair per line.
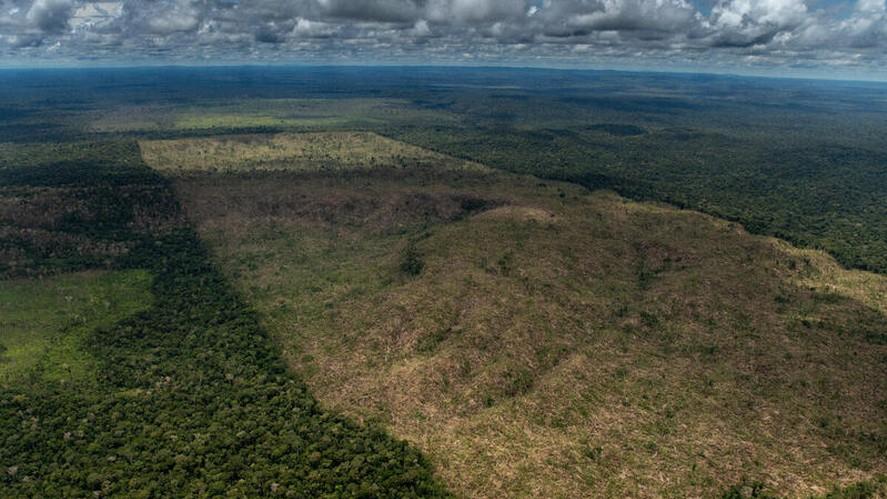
(403,282)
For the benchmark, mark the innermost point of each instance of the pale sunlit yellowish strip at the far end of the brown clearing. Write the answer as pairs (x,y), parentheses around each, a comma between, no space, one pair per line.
(302,152)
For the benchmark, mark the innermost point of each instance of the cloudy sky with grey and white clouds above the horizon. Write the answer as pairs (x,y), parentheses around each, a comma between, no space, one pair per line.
(829,38)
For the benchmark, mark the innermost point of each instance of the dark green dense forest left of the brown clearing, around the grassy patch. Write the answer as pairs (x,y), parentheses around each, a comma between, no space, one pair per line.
(189,395)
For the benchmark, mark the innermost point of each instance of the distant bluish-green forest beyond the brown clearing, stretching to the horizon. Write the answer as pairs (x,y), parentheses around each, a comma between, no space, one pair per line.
(801,160)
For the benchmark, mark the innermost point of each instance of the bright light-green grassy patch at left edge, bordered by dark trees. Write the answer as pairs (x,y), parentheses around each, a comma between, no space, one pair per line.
(44,321)
